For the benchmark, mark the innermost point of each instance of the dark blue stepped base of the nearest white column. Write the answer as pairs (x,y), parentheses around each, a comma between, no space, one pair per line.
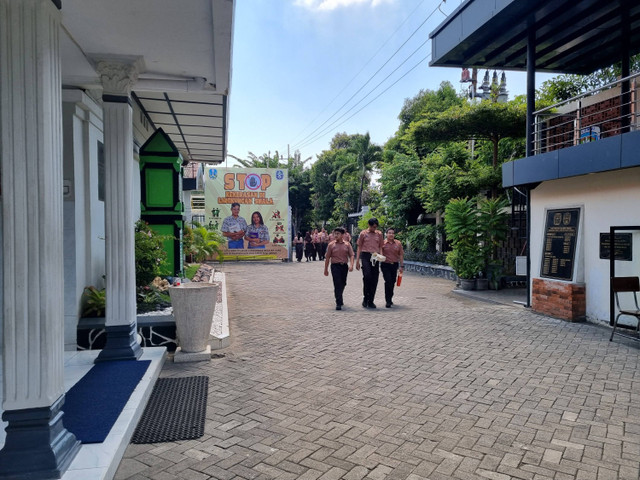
(37,445)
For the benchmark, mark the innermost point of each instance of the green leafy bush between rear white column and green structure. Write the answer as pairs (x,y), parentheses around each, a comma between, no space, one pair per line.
(150,254)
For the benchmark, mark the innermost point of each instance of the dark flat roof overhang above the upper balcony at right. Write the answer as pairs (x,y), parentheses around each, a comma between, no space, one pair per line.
(570,36)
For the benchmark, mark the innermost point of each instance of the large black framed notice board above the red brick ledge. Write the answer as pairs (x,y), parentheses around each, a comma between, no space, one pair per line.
(559,248)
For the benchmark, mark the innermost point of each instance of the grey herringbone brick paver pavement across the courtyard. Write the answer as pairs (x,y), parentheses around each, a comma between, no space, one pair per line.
(438,387)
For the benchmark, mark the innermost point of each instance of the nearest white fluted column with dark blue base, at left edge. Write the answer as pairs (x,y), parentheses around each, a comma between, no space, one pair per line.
(33,308)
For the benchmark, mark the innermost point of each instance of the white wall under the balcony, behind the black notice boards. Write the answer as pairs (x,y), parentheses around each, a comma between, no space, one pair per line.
(606,199)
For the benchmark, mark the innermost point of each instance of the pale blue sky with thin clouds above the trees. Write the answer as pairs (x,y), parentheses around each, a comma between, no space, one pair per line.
(297,62)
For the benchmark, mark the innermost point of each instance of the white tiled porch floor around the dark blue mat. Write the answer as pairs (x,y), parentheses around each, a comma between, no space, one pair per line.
(99,461)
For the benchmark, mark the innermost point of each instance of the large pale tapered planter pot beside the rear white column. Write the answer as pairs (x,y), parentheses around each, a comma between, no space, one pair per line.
(193,307)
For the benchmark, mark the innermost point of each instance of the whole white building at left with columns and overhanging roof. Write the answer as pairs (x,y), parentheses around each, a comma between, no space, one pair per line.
(83,83)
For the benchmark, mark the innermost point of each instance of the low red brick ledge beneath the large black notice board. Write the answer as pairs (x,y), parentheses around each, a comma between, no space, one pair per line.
(559,299)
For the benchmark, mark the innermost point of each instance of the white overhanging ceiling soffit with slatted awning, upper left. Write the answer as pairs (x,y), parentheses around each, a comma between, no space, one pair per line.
(185,49)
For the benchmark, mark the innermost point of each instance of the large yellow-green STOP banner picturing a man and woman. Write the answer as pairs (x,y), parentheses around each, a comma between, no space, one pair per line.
(249,206)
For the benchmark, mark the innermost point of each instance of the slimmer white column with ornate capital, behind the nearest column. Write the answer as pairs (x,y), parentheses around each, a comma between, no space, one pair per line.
(118,76)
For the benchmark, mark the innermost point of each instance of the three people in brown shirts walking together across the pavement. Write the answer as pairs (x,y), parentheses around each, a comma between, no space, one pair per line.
(340,259)
